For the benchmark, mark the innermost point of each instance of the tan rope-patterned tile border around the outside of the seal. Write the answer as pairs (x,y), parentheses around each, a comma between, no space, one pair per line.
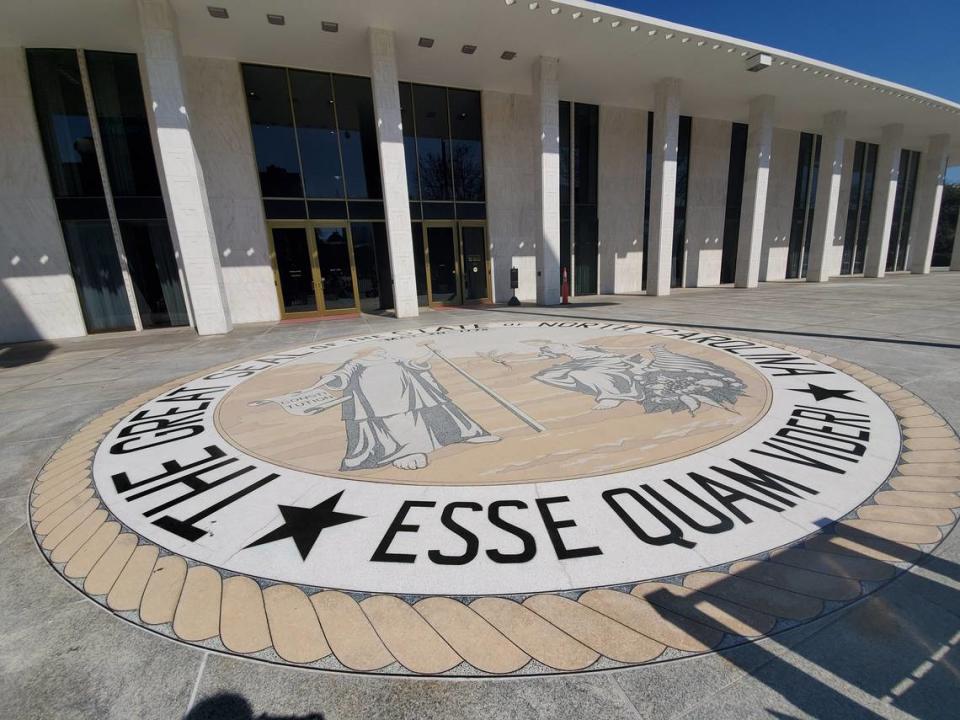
(595,629)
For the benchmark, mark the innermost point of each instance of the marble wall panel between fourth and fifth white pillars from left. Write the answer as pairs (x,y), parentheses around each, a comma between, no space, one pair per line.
(706,201)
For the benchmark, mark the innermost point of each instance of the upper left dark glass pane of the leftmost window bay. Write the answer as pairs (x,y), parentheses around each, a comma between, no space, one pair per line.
(64,124)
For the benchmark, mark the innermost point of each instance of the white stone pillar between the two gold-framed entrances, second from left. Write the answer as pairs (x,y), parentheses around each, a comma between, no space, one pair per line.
(393,171)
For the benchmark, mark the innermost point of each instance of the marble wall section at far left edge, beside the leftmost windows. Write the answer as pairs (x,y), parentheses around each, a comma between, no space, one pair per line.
(38,298)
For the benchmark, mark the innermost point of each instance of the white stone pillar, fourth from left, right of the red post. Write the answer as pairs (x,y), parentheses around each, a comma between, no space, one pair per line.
(663,184)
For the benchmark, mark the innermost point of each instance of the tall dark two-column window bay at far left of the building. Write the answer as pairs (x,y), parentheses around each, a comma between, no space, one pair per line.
(66,133)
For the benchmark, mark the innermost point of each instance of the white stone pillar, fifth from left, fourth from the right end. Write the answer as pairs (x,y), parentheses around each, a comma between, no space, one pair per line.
(755,180)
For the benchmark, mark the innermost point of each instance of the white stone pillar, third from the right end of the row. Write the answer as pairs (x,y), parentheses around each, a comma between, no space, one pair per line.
(828,196)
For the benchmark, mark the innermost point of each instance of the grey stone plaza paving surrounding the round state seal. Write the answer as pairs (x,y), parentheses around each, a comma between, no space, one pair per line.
(894,654)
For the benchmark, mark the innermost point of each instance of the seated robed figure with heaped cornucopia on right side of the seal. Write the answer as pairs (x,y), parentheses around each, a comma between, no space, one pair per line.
(664,381)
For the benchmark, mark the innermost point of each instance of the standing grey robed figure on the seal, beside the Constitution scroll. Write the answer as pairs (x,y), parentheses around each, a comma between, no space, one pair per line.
(395,412)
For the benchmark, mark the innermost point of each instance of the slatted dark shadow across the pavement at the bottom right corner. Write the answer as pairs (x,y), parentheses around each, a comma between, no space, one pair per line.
(883,656)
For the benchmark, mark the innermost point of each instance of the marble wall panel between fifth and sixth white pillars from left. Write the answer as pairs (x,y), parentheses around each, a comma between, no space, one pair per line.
(780,191)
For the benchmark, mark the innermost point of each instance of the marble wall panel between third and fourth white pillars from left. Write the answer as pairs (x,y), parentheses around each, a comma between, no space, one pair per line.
(622,160)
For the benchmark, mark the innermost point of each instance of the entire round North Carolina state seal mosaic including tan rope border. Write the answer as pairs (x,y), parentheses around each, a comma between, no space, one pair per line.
(502,498)
